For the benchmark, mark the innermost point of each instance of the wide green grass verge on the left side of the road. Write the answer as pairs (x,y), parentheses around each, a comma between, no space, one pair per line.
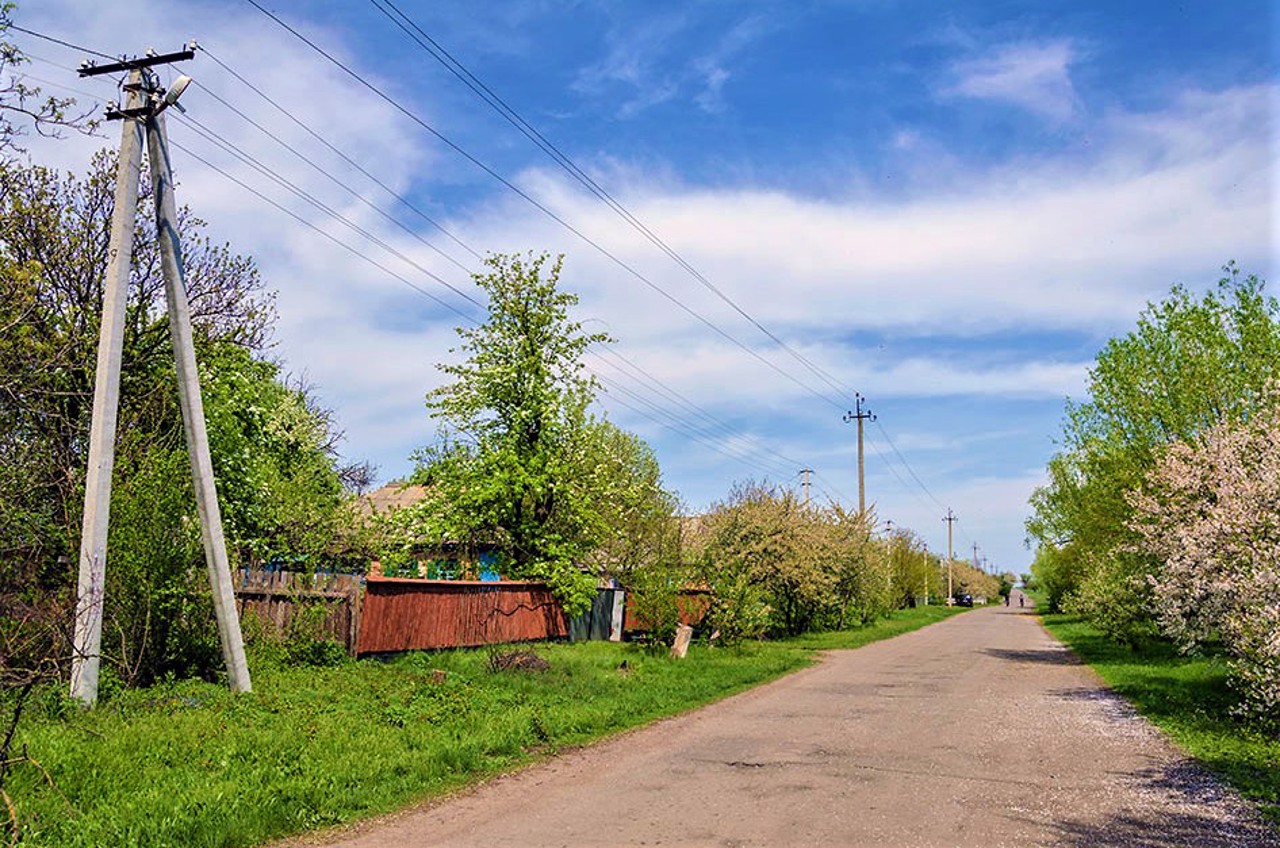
(190,764)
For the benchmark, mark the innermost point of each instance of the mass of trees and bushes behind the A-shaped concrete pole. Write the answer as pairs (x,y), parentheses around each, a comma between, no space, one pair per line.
(272,448)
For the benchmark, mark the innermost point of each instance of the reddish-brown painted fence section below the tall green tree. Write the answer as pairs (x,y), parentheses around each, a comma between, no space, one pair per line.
(415,616)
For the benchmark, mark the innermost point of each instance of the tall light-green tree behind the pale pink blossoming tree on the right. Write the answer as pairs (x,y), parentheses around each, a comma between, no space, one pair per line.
(1190,364)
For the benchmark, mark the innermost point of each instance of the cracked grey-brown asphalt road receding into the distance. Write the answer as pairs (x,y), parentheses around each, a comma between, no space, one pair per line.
(979,731)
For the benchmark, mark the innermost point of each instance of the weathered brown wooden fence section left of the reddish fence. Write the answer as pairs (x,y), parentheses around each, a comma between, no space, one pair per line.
(280,599)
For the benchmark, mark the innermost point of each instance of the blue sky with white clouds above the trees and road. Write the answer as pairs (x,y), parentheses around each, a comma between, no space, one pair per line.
(948,207)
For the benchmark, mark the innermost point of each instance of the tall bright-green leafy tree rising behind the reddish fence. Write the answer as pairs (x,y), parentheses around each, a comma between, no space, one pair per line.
(516,436)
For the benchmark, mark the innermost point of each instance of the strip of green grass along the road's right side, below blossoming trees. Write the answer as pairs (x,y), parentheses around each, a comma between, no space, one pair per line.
(1190,700)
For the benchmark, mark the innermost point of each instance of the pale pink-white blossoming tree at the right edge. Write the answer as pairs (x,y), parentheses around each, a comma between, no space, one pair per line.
(1210,513)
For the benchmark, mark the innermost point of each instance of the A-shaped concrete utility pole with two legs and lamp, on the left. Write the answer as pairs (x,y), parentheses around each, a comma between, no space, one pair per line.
(145,101)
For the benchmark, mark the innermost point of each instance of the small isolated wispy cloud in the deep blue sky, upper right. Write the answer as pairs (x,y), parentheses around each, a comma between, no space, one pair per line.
(1035,76)
